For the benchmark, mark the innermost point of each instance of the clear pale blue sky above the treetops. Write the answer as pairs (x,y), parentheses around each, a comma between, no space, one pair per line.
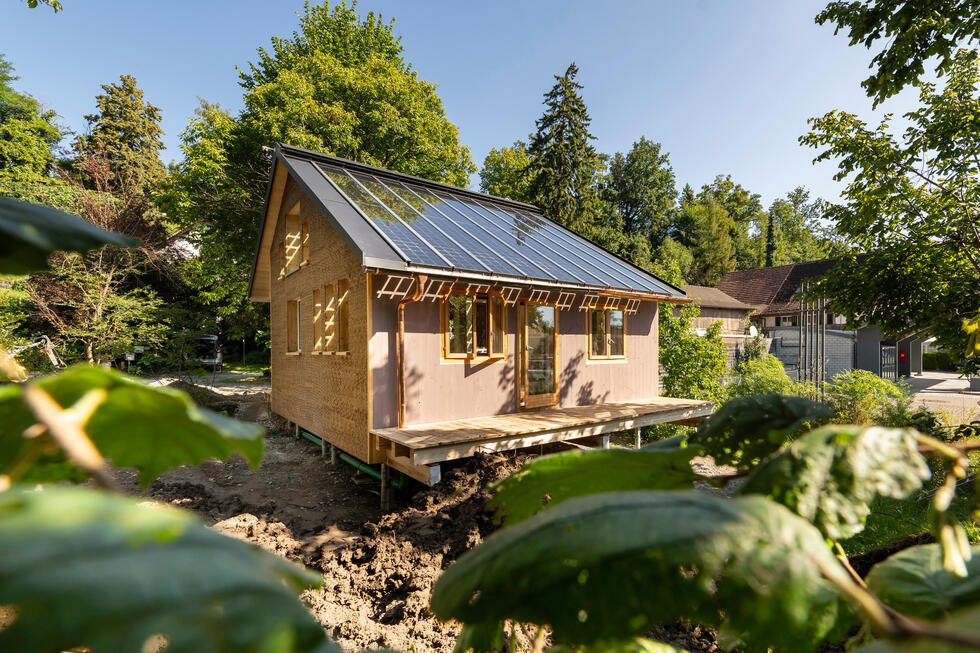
(725,86)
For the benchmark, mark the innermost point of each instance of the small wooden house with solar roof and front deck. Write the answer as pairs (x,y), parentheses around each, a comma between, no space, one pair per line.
(413,322)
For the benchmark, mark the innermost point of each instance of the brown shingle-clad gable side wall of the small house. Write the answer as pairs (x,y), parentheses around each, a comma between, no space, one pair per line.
(326,395)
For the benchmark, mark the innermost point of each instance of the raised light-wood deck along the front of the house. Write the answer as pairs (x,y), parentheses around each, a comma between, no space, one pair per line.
(417,450)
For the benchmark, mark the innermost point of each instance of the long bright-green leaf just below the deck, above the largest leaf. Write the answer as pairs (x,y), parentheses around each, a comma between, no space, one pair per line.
(549,480)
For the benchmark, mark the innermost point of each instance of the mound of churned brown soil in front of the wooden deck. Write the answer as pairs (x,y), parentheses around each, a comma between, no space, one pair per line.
(377,585)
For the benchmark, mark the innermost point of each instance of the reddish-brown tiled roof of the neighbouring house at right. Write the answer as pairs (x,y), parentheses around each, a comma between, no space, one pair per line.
(773,290)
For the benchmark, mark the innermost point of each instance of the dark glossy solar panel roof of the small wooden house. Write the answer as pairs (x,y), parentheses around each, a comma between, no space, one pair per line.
(418,224)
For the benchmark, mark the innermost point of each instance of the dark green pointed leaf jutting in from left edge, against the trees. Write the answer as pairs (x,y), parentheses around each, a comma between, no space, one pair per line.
(29,233)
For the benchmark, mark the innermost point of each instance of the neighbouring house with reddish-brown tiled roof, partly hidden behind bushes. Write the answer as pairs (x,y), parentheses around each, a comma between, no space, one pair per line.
(774,293)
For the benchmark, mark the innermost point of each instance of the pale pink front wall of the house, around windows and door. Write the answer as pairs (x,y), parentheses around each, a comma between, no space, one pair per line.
(438,390)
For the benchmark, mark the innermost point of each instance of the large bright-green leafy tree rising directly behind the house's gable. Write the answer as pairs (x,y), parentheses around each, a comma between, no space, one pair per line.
(340,85)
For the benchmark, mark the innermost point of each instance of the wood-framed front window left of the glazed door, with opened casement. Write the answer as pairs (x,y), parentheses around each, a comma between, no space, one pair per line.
(473,326)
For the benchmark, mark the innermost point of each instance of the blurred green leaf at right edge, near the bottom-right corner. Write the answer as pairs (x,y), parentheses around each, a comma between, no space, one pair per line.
(914,582)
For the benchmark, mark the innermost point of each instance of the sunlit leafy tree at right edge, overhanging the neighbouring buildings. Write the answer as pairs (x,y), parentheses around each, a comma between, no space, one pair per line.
(912,207)
